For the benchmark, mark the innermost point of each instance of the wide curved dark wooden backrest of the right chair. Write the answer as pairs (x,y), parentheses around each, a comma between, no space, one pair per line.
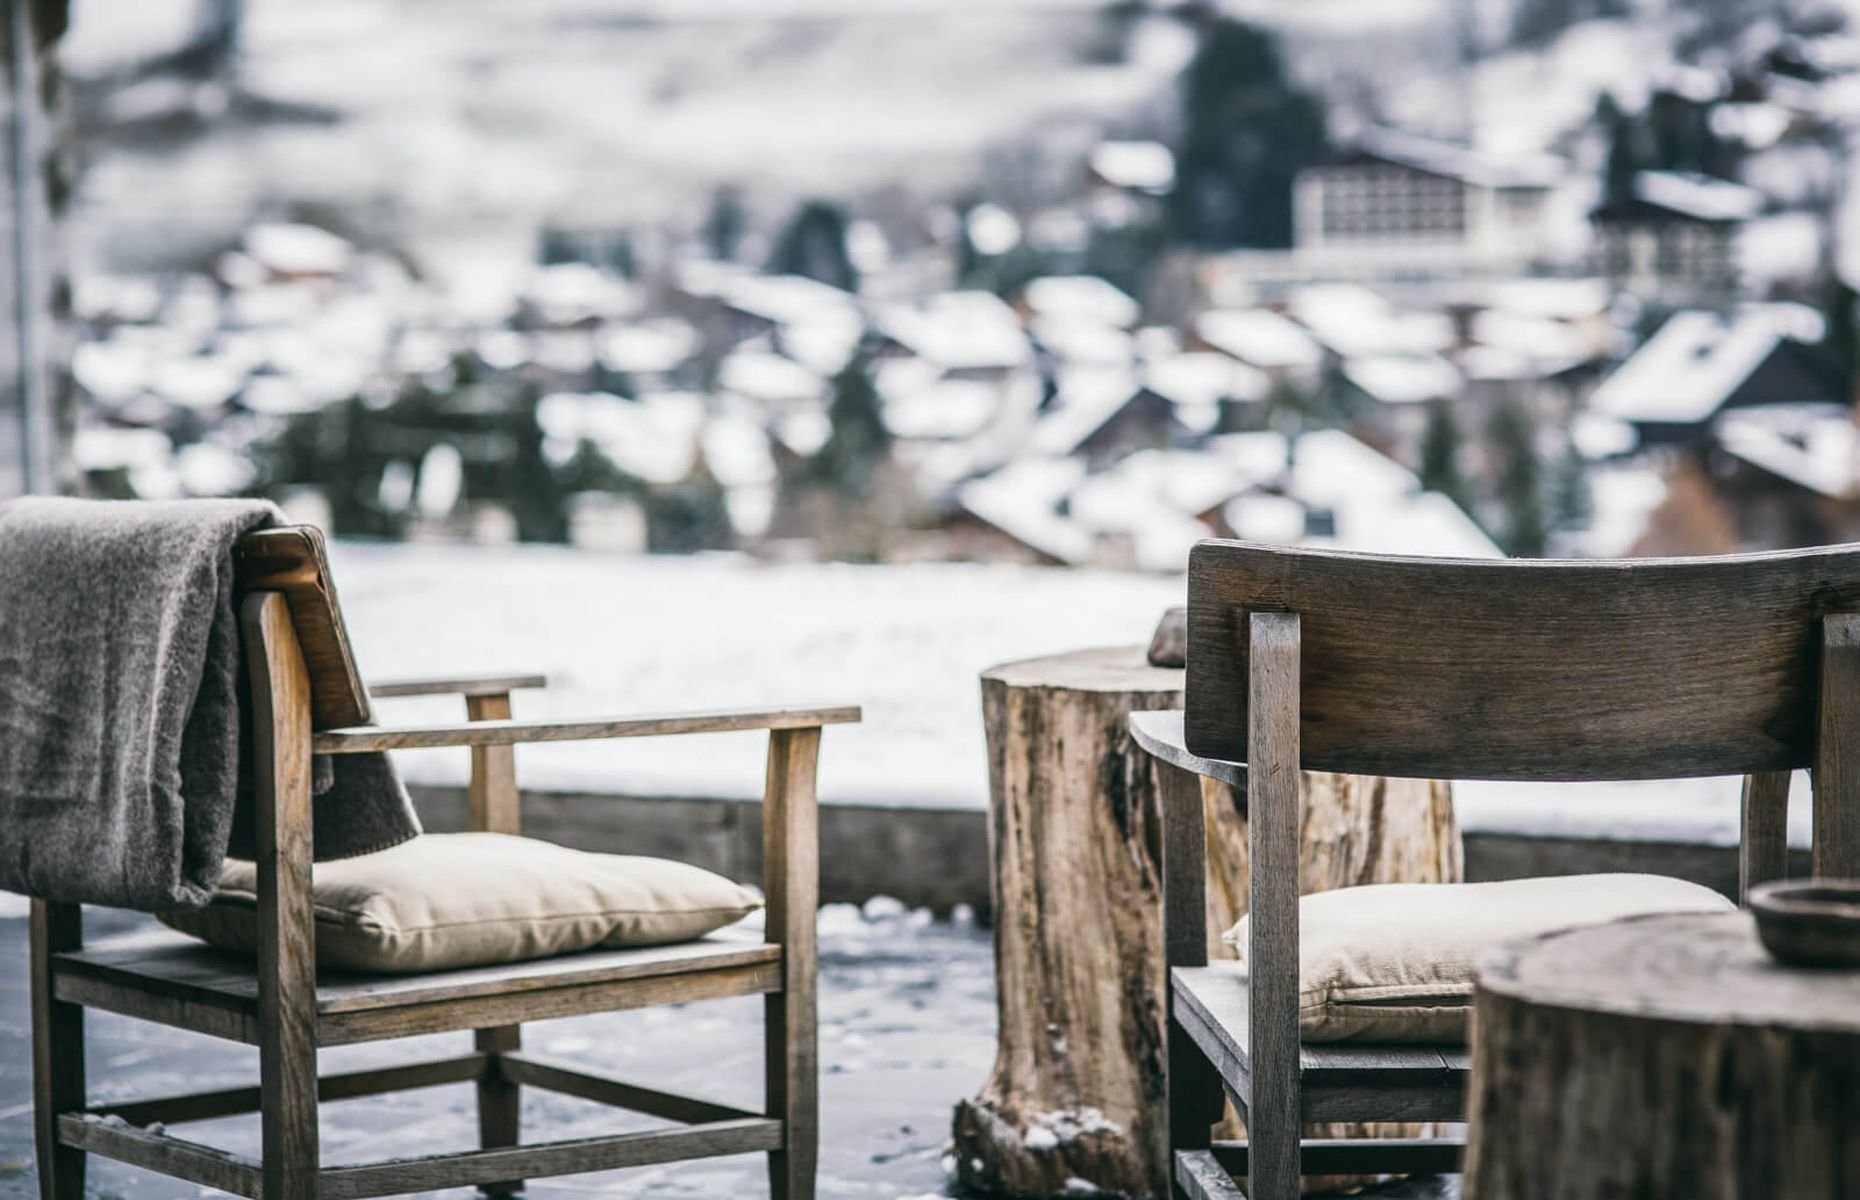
(1524,669)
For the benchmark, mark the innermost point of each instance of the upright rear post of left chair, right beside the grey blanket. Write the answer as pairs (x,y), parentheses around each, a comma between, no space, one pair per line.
(287,933)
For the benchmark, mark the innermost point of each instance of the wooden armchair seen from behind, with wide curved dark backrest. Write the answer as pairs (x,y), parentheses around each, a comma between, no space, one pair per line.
(1444,669)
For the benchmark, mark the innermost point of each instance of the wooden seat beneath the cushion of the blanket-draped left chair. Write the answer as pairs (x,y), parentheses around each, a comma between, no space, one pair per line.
(179,981)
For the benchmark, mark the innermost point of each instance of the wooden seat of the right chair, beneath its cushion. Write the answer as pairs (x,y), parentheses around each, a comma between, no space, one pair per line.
(1342,1080)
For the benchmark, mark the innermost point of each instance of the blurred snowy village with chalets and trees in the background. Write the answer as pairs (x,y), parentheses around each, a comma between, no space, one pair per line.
(1573,289)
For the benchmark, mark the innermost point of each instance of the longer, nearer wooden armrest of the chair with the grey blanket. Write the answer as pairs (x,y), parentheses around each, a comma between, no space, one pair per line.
(512,732)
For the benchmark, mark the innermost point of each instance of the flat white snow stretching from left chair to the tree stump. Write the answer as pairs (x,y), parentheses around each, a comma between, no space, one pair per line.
(628,635)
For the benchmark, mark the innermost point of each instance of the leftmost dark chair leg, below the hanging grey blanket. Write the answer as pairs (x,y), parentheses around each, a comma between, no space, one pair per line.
(57,1052)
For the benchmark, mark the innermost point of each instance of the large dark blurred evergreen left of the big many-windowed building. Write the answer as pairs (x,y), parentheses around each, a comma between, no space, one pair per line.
(1247,131)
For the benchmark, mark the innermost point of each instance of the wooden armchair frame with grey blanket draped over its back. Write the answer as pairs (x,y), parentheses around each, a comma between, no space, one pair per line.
(306,700)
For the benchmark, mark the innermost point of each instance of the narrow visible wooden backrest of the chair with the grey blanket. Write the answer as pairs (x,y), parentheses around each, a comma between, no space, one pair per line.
(291,559)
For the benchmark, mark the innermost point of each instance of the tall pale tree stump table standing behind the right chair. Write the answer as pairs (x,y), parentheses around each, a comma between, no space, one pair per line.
(1076,1097)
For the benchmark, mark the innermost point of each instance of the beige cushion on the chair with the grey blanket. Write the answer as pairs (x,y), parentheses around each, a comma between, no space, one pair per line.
(462,900)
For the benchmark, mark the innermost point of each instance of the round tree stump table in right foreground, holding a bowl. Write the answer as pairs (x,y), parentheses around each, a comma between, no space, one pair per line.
(1664,1058)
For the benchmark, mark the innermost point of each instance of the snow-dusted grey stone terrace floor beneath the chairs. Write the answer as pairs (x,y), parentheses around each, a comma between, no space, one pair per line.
(907,1030)
